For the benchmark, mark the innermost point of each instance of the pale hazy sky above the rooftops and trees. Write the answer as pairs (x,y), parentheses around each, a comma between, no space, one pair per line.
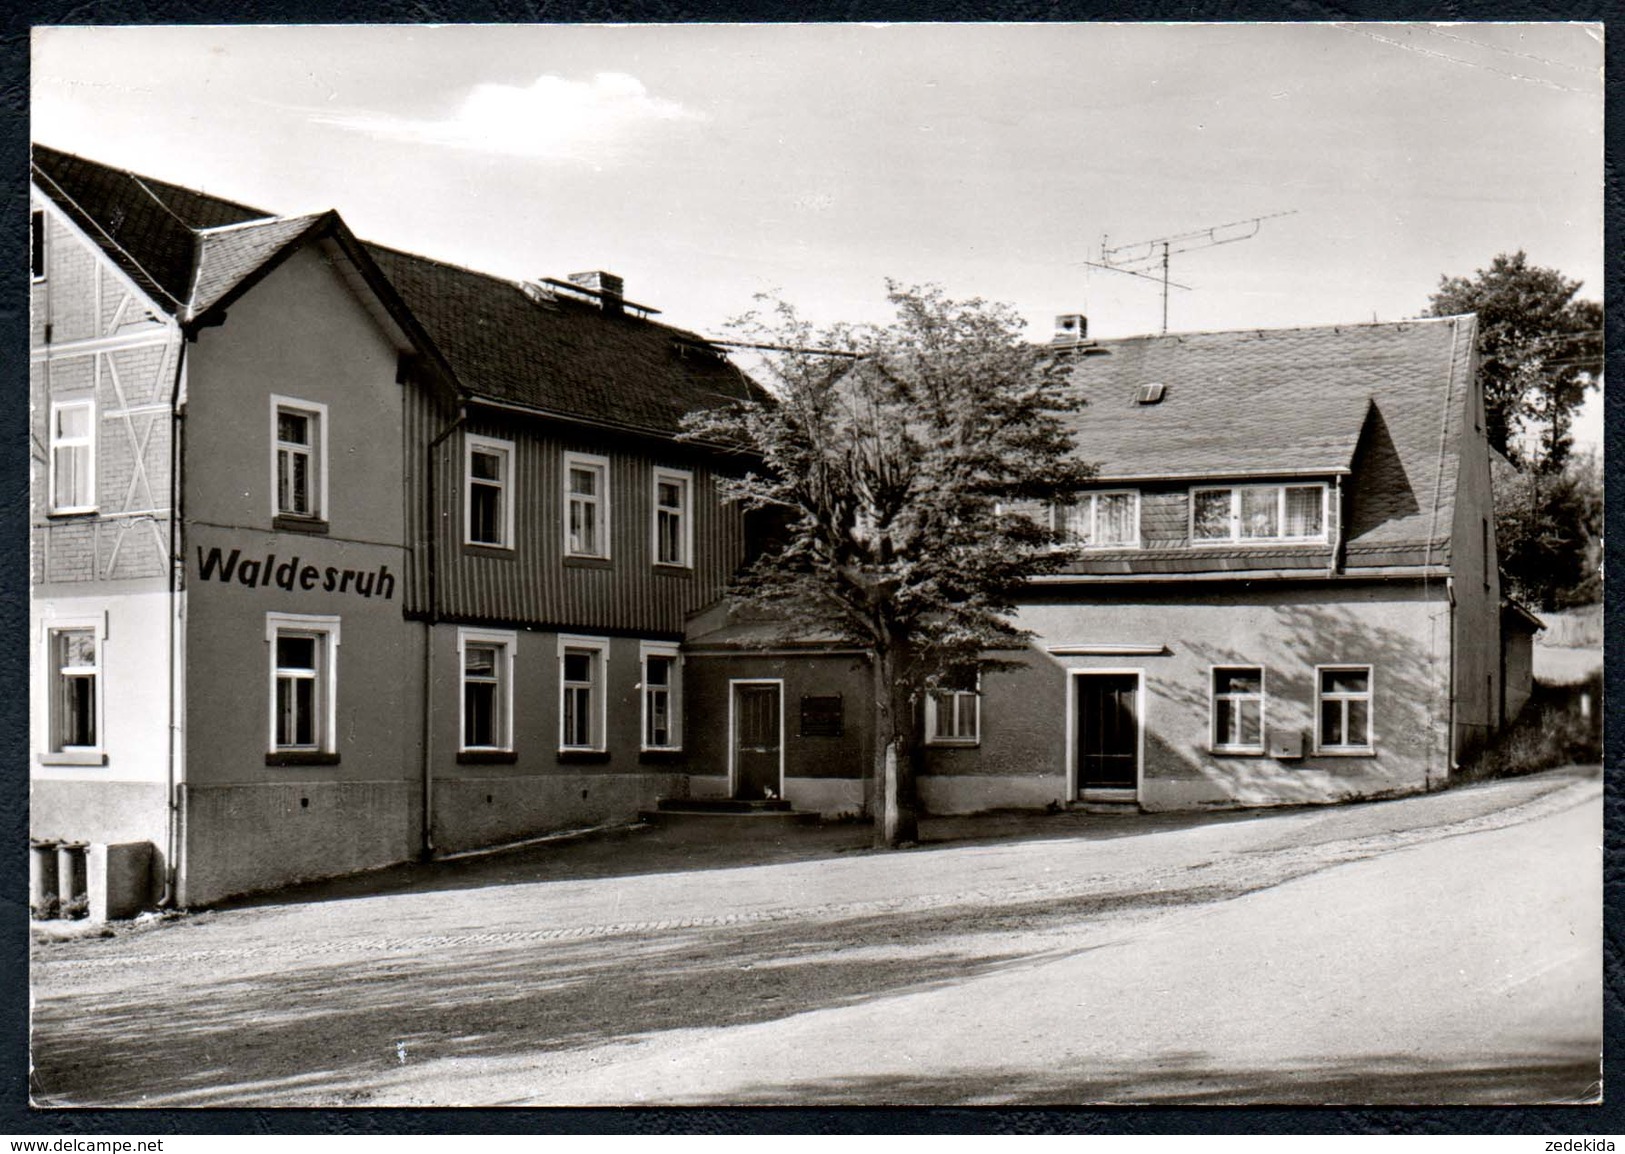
(711,163)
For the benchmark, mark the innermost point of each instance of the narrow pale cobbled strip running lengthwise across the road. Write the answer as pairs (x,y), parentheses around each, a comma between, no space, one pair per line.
(1233,875)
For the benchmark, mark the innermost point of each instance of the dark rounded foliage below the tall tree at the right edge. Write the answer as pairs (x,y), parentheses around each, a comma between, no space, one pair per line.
(1549,534)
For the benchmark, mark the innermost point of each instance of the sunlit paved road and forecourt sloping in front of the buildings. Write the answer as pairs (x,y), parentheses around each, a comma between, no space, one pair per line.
(1432,950)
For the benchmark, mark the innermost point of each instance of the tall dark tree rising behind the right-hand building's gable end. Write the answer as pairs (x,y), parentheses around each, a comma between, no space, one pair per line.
(1540,352)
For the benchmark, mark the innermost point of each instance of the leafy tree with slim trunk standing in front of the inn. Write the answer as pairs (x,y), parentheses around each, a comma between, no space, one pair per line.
(886,454)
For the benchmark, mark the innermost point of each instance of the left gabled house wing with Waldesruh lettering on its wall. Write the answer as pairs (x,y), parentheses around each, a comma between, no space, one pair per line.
(344,555)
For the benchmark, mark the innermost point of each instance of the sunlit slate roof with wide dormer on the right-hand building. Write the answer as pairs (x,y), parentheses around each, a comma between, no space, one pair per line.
(1384,404)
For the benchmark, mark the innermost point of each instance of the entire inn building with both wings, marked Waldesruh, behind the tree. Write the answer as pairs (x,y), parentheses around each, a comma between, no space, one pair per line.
(344,557)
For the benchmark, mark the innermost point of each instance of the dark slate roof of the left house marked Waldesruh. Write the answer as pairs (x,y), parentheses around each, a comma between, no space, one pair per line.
(544,352)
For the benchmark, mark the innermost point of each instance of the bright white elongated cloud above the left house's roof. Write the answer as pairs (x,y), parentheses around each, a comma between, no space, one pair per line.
(553,118)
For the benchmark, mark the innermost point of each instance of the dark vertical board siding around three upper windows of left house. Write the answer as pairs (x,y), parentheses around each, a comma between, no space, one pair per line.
(535,584)
